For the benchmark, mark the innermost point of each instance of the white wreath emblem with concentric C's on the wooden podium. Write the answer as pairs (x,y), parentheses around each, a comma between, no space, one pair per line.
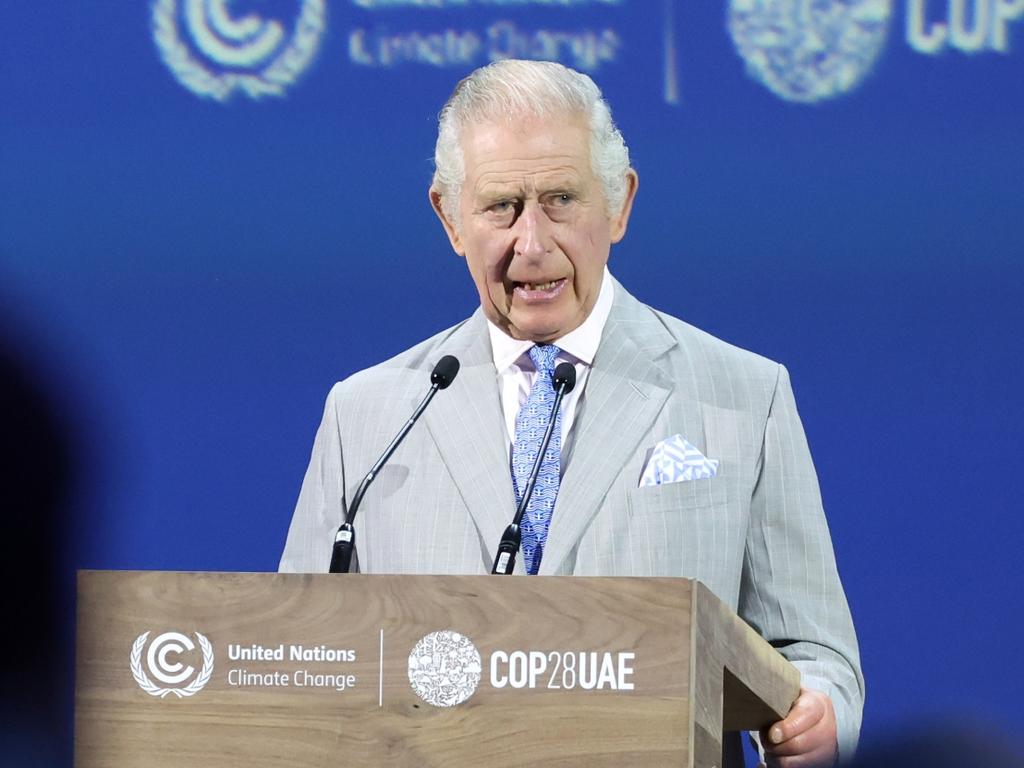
(166,661)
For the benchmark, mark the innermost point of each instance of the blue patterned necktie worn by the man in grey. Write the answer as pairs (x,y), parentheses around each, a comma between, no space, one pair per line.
(530,428)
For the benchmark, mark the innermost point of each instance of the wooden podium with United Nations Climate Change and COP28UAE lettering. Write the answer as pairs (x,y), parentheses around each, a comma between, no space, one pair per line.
(221,670)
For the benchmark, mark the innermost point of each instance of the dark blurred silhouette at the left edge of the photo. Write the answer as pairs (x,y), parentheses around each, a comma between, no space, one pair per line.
(37,641)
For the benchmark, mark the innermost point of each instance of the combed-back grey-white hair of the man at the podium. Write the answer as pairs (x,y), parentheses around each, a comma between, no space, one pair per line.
(511,90)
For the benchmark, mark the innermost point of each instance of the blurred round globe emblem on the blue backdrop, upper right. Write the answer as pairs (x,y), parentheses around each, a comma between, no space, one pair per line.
(809,51)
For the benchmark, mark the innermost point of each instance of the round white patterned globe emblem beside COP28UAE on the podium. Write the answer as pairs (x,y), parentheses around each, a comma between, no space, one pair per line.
(445,669)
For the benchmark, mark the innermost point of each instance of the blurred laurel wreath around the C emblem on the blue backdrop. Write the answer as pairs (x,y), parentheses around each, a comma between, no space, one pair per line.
(283,71)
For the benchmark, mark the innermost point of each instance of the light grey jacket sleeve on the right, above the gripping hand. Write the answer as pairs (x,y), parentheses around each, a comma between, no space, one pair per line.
(791,591)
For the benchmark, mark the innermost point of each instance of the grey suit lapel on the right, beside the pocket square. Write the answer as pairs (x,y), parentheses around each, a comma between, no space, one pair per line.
(625,393)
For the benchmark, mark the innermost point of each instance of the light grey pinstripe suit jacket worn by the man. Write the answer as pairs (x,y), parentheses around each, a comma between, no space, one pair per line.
(755,535)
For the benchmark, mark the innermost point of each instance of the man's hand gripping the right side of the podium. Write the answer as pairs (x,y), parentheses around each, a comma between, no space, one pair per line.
(806,739)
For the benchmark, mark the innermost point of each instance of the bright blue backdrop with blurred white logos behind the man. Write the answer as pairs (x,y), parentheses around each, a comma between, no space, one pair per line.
(190,260)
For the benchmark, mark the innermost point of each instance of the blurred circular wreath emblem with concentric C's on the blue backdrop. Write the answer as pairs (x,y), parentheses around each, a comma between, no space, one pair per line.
(216,54)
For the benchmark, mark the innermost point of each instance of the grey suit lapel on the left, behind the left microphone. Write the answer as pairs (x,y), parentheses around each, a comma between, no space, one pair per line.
(468,430)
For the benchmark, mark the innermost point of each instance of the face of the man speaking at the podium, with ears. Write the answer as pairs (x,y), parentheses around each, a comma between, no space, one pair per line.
(534,226)
